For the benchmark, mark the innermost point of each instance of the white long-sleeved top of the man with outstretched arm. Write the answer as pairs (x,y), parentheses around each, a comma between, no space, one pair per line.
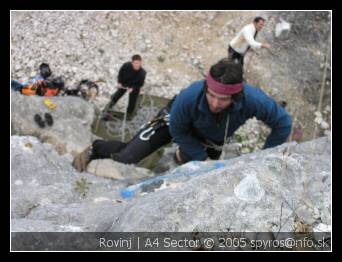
(244,39)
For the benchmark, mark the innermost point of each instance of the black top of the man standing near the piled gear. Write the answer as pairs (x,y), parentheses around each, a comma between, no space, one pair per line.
(129,77)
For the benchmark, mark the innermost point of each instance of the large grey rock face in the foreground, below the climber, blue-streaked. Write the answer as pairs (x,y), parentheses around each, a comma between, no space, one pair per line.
(271,190)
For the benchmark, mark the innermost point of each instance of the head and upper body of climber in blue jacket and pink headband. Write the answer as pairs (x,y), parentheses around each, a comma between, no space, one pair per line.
(209,111)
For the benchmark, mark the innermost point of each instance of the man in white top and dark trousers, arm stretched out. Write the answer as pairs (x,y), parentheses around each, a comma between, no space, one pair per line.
(245,40)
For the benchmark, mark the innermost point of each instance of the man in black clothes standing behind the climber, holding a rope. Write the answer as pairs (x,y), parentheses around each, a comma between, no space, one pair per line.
(131,77)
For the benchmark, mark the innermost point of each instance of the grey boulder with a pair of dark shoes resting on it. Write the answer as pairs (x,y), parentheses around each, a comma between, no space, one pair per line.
(72,119)
